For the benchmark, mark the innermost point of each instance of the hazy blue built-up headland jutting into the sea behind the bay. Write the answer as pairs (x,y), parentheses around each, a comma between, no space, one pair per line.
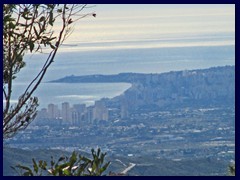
(213,86)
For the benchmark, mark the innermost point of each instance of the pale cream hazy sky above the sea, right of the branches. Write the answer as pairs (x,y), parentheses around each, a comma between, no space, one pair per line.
(133,22)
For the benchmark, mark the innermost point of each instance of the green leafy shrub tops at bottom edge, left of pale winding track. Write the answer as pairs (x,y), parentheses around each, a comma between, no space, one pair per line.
(75,165)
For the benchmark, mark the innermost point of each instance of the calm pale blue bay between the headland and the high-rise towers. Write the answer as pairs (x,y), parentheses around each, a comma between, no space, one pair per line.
(86,93)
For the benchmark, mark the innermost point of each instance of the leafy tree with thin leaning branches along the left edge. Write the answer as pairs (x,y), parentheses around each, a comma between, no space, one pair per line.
(30,28)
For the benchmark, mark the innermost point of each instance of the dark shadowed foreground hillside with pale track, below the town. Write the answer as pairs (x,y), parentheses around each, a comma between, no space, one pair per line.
(144,165)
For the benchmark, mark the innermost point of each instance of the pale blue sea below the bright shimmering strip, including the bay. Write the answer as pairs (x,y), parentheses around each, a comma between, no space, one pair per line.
(113,61)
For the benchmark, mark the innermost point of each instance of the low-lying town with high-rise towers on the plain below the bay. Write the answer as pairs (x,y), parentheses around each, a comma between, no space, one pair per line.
(173,134)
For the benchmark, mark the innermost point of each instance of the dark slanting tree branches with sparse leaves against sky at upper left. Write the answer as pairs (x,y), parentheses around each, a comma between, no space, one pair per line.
(17,42)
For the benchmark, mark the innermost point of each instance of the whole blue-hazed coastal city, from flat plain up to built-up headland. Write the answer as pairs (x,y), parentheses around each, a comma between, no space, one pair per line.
(177,116)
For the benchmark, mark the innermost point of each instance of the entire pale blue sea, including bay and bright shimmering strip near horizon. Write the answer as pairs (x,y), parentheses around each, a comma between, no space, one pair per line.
(113,57)
